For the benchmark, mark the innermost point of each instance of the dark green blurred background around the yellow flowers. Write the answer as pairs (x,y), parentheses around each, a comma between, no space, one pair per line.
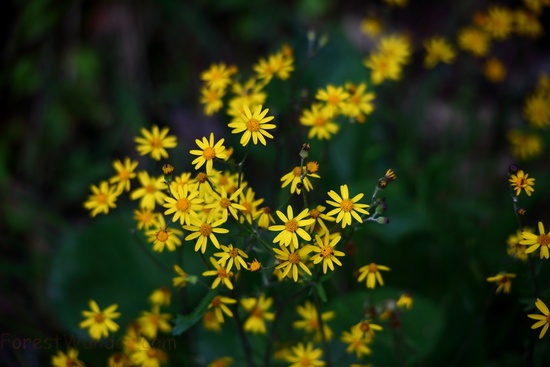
(80,78)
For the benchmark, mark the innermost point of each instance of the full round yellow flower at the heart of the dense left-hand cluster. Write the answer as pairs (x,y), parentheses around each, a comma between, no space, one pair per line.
(184,205)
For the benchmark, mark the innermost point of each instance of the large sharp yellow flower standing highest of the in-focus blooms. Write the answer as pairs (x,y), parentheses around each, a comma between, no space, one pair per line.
(254,125)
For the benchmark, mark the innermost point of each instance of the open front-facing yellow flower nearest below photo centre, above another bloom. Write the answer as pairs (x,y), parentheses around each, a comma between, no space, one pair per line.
(291,229)
